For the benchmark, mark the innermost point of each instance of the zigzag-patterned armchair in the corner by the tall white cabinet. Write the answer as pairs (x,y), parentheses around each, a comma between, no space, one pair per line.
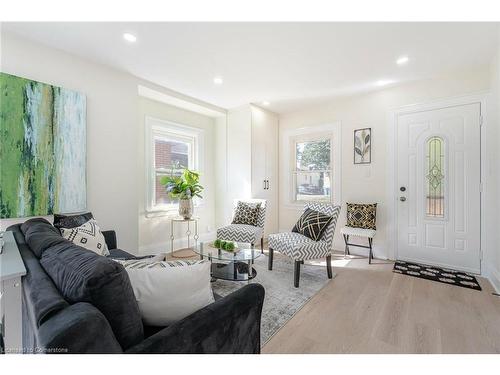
(244,232)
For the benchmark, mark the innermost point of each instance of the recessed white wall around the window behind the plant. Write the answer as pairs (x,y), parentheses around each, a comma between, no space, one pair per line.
(154,231)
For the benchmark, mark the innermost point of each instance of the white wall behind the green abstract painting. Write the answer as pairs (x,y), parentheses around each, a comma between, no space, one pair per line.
(112,117)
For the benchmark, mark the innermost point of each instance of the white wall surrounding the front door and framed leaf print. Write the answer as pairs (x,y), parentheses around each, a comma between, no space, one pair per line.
(367,183)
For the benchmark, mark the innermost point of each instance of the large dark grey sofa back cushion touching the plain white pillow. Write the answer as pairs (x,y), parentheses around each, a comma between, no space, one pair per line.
(83,276)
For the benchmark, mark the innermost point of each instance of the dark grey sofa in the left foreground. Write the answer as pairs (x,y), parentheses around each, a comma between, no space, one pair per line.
(75,301)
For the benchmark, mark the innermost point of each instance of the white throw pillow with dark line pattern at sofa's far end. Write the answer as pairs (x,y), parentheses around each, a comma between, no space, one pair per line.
(88,235)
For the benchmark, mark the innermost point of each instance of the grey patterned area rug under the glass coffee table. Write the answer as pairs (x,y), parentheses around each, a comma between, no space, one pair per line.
(282,300)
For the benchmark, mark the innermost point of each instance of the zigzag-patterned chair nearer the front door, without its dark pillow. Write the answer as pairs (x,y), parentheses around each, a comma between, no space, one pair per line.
(300,248)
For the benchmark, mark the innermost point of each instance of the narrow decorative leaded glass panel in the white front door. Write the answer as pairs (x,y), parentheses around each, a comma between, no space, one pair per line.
(435,177)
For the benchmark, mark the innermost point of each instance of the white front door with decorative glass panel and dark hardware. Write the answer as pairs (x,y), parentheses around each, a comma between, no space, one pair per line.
(438,177)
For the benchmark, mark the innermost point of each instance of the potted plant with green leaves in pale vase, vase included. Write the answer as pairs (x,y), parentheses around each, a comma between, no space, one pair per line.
(183,187)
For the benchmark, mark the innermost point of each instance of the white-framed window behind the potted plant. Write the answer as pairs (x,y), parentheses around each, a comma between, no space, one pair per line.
(170,149)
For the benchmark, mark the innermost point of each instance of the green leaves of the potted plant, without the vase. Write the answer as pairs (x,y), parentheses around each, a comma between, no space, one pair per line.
(185,186)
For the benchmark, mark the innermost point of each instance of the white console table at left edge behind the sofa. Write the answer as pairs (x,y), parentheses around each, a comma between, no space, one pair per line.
(11,271)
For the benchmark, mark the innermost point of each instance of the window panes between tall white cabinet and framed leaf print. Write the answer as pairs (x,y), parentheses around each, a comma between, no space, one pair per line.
(313,170)
